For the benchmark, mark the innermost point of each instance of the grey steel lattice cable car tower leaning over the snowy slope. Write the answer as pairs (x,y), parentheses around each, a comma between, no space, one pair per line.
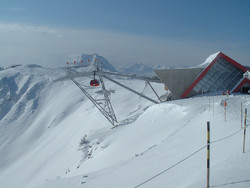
(102,103)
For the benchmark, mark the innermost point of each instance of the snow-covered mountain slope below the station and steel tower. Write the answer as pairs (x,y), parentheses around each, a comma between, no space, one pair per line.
(51,136)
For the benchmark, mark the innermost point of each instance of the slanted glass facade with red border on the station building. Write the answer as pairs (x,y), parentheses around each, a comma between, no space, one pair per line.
(223,73)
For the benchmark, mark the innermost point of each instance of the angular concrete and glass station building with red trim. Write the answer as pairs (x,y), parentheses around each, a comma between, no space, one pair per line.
(217,74)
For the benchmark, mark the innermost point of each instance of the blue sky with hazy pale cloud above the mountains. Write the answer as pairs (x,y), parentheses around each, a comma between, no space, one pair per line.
(170,33)
